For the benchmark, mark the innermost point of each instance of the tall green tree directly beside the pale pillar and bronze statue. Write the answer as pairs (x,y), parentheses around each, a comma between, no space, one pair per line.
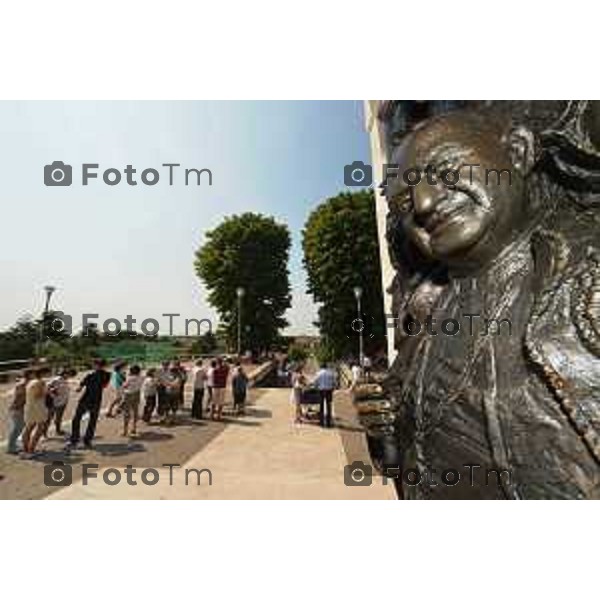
(341,252)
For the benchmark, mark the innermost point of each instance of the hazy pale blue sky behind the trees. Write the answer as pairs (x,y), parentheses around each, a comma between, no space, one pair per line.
(119,250)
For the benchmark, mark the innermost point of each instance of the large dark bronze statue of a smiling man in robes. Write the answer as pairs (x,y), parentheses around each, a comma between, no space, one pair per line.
(512,401)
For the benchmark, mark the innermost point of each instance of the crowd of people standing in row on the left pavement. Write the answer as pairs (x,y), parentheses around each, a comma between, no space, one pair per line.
(158,393)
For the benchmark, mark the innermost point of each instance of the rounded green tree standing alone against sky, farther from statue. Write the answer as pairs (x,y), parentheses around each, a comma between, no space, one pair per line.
(248,251)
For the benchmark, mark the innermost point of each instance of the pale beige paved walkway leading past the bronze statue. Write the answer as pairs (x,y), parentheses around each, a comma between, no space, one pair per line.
(265,456)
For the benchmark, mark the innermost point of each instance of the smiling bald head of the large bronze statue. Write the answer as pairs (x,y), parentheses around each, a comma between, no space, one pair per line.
(470,222)
